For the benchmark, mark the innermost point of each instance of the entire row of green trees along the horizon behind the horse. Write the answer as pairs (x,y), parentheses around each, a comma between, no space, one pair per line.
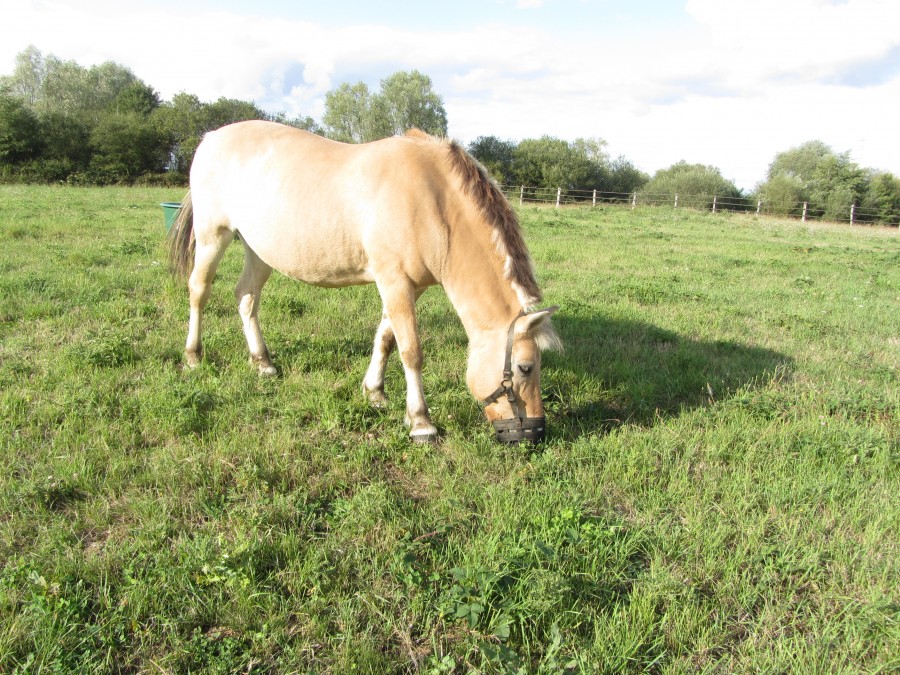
(62,122)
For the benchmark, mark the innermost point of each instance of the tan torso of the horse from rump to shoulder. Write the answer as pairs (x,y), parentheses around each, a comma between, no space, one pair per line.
(324,212)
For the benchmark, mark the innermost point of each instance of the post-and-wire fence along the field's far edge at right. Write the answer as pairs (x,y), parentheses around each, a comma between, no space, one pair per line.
(803,211)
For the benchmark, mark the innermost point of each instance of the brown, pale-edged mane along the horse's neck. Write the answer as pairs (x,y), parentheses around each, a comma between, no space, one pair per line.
(497,212)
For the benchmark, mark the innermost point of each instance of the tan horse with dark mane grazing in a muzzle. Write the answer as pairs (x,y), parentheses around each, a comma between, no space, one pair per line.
(404,213)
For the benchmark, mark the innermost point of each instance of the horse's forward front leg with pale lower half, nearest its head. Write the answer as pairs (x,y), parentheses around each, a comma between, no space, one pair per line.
(400,310)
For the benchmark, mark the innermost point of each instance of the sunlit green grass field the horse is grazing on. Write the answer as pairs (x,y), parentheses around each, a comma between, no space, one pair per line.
(718,493)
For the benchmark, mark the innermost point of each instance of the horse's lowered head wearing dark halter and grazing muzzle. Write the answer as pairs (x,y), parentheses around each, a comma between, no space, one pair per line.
(504,373)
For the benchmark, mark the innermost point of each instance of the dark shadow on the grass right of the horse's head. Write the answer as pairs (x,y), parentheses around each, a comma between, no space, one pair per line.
(616,372)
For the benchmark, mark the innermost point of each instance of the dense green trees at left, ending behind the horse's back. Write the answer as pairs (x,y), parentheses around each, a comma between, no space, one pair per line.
(58,118)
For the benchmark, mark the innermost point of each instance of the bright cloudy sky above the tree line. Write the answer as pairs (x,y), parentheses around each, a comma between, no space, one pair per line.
(728,83)
